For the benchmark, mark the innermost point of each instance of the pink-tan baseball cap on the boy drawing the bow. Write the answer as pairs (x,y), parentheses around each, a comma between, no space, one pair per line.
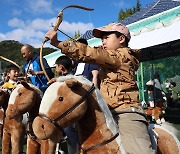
(112,27)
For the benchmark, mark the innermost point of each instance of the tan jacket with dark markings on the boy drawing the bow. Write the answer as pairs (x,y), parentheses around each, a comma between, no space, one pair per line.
(117,73)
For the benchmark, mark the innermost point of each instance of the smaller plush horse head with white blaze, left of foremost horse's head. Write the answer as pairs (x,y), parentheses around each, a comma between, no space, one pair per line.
(22,99)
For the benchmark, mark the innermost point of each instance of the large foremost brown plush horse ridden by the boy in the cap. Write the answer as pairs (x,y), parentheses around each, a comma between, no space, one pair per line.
(74,100)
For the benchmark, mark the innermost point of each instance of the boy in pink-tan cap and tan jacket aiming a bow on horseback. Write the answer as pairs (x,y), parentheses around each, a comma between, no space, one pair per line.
(118,81)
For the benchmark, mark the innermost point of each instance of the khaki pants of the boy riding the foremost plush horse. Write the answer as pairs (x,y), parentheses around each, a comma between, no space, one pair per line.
(134,133)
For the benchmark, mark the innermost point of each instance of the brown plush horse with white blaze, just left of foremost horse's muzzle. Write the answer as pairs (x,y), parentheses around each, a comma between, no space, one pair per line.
(24,98)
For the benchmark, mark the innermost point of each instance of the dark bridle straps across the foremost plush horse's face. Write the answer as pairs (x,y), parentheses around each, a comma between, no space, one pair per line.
(54,122)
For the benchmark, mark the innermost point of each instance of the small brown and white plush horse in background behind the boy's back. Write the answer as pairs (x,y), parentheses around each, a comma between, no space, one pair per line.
(156,113)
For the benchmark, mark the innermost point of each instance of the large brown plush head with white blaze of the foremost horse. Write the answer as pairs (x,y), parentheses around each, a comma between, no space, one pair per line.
(61,101)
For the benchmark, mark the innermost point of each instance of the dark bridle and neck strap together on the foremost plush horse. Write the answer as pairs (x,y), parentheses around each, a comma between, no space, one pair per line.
(54,122)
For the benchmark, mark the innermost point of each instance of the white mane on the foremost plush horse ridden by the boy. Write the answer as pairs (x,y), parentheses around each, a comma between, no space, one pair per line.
(102,104)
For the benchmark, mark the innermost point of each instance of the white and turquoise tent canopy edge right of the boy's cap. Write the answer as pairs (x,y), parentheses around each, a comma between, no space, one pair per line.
(161,28)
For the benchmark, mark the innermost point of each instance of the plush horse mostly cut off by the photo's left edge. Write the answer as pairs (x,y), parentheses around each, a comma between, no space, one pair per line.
(4,98)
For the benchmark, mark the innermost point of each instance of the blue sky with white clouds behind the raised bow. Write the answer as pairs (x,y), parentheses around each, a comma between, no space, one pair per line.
(27,21)
